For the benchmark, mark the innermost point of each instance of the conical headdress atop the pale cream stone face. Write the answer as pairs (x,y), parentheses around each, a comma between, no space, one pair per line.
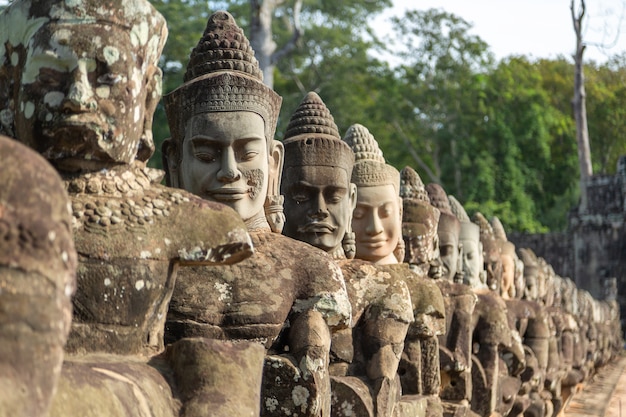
(370,168)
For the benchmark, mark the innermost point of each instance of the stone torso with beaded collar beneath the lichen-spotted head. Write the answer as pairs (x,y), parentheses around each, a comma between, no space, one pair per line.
(128,231)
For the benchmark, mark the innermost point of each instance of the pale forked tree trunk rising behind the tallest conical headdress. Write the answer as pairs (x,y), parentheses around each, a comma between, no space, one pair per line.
(261,35)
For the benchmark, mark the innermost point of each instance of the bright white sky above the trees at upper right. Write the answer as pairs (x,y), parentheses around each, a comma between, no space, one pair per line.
(537,28)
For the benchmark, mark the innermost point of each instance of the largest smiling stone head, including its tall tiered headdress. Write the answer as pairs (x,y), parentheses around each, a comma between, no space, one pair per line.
(222,121)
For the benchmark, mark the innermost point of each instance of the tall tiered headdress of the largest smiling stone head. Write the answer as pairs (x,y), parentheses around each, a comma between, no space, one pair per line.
(222,75)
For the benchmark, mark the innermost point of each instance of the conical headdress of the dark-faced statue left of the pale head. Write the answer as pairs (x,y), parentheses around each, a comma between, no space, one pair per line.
(312,138)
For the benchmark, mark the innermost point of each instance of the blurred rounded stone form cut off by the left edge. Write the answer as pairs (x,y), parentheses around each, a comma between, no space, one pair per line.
(37,278)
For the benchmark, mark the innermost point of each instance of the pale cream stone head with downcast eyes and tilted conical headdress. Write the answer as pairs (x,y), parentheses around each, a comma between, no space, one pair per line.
(377,219)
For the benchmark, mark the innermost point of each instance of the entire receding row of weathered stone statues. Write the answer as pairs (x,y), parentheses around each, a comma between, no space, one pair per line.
(298,278)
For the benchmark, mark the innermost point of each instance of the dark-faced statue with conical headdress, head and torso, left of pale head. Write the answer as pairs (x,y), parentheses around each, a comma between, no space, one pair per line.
(319,199)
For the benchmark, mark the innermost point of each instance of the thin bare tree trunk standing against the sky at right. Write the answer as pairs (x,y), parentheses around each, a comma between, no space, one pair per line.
(579,107)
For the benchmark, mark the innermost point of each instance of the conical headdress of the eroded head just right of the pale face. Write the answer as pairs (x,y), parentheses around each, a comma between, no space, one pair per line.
(419,217)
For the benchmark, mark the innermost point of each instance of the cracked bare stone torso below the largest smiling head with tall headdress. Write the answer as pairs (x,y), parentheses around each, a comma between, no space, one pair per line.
(253,299)
